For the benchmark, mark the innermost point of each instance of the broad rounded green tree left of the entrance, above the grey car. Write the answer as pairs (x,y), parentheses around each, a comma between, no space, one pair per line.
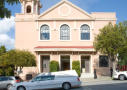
(18,58)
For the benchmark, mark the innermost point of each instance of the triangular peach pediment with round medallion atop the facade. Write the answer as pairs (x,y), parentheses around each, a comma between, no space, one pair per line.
(65,10)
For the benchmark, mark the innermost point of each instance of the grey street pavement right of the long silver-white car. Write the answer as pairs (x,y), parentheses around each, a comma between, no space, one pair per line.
(102,84)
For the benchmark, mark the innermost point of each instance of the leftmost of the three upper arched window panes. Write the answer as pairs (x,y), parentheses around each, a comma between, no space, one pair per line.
(44,32)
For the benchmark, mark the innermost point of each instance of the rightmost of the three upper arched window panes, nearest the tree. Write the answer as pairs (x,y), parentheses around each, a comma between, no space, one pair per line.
(85,32)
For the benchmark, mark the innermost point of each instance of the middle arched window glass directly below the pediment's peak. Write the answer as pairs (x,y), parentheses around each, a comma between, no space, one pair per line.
(64,32)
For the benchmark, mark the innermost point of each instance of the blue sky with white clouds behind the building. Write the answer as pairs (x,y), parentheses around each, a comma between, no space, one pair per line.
(7,25)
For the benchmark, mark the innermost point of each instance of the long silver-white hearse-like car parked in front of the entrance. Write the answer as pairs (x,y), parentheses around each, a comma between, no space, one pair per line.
(49,81)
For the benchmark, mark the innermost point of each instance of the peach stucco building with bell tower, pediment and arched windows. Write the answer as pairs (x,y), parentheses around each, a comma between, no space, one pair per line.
(63,33)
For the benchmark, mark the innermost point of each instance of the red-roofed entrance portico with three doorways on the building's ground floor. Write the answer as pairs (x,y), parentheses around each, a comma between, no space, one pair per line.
(65,56)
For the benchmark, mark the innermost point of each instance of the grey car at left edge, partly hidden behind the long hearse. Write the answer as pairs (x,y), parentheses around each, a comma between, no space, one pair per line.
(7,81)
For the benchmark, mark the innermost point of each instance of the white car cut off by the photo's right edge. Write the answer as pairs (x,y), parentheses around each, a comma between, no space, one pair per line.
(121,75)
